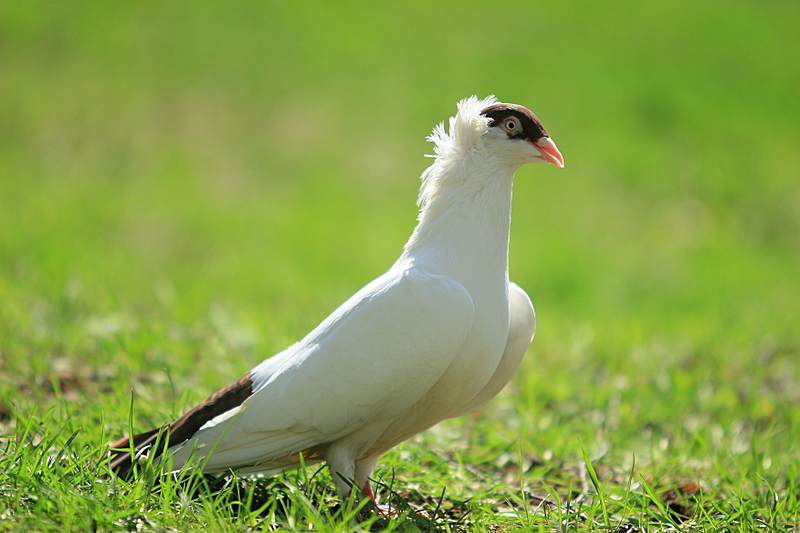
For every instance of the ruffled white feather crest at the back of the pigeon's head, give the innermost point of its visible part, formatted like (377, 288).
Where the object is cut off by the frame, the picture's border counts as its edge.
(464, 132)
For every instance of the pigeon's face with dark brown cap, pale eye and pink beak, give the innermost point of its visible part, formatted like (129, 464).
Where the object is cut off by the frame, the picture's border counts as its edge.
(516, 123)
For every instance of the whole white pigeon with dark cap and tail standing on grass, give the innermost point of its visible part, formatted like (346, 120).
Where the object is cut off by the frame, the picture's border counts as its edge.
(437, 336)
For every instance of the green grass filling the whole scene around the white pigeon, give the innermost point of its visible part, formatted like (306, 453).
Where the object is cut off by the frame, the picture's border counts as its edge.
(185, 190)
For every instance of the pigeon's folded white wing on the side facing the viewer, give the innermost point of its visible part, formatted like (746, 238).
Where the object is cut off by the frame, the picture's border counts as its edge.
(366, 364)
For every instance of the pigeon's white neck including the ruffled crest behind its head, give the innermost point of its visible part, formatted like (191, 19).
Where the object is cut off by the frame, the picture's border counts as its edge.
(465, 199)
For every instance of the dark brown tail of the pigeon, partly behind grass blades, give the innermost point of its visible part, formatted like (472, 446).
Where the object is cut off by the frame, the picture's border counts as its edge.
(158, 440)
